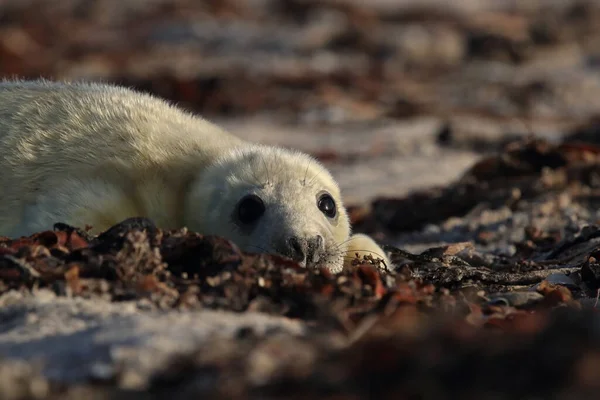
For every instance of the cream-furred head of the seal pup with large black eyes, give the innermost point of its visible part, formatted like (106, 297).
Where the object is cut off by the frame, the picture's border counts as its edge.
(273, 200)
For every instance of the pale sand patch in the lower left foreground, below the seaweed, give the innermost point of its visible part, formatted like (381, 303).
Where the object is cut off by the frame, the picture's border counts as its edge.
(78, 340)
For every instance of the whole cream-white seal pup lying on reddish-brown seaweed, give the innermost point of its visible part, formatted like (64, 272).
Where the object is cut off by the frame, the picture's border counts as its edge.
(95, 154)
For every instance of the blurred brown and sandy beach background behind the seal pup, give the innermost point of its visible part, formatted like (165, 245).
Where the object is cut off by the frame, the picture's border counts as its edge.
(393, 95)
